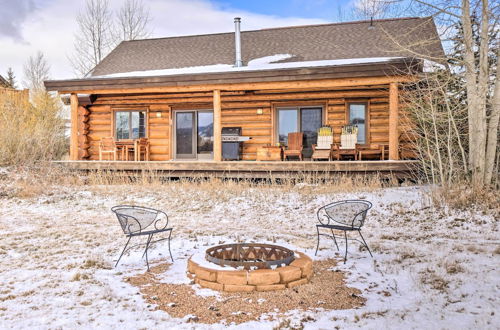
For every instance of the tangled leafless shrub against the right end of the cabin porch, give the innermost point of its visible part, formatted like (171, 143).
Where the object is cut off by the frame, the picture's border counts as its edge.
(439, 130)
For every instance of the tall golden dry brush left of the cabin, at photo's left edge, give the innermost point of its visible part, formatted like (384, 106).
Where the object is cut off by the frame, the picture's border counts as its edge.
(31, 130)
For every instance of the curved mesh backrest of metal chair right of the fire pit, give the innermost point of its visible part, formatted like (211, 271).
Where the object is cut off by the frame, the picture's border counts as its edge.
(349, 212)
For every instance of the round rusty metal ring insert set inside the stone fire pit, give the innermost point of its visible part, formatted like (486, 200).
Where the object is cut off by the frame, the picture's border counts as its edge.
(249, 255)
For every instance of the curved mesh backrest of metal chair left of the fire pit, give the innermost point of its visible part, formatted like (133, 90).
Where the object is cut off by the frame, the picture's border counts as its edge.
(136, 219)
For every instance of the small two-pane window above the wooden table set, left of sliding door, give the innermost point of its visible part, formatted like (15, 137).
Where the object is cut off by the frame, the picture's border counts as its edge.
(130, 124)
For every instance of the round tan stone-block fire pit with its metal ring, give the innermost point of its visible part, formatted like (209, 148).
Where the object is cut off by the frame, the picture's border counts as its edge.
(246, 267)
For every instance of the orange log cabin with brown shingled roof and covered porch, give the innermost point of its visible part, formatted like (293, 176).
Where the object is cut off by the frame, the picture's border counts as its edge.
(182, 92)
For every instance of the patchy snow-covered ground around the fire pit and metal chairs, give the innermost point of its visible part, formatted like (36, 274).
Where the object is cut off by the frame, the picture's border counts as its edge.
(432, 268)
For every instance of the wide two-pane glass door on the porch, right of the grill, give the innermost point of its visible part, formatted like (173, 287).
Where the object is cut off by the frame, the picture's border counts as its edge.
(307, 120)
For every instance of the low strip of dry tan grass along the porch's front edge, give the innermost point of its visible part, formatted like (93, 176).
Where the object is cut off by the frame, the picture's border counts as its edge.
(43, 178)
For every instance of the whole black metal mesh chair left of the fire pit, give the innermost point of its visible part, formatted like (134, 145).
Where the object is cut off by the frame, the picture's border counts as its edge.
(142, 221)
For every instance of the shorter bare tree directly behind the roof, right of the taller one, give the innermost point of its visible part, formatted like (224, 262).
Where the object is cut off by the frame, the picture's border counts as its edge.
(133, 20)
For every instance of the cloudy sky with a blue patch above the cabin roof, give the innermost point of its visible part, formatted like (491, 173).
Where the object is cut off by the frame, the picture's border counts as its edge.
(28, 26)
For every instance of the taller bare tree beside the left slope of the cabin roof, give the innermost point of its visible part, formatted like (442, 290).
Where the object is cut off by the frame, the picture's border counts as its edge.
(95, 37)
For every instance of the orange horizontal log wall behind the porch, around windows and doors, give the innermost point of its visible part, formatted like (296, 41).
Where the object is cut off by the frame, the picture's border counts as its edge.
(238, 109)
